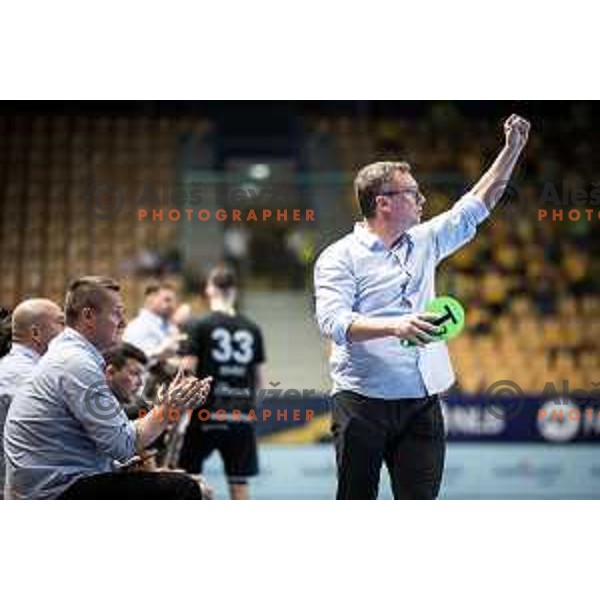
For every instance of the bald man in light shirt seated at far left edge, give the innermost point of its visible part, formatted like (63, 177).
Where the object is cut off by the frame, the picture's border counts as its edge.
(34, 323)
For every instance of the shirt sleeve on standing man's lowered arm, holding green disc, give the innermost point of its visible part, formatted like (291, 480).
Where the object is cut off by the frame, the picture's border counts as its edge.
(335, 289)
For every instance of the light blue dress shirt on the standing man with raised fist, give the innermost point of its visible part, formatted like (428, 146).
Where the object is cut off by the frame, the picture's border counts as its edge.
(359, 276)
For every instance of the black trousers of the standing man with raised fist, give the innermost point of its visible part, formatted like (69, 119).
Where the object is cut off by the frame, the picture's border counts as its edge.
(407, 435)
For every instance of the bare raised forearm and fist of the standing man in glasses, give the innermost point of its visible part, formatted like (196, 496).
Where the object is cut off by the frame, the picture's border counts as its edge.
(492, 184)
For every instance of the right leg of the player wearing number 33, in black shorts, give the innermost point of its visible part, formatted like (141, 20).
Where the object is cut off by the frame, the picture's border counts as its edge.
(239, 450)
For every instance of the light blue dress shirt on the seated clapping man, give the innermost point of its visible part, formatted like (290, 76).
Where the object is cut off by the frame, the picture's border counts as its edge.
(64, 423)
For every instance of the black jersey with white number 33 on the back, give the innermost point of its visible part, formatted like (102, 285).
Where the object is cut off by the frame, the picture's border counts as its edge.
(229, 348)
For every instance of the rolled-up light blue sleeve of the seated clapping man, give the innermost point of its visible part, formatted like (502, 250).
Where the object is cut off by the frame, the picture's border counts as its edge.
(89, 398)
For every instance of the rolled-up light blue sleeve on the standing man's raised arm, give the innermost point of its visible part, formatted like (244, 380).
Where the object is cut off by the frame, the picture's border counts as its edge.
(454, 228)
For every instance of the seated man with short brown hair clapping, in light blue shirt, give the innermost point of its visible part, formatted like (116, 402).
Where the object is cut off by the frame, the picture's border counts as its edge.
(65, 428)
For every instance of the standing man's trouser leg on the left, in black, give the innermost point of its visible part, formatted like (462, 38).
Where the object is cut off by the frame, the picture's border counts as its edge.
(359, 433)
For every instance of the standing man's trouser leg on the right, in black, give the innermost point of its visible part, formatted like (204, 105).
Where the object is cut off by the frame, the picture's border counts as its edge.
(415, 458)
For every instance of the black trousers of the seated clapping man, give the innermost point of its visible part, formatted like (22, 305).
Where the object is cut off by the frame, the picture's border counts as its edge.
(136, 485)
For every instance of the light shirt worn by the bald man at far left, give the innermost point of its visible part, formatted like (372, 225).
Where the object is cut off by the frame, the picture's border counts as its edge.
(15, 367)
